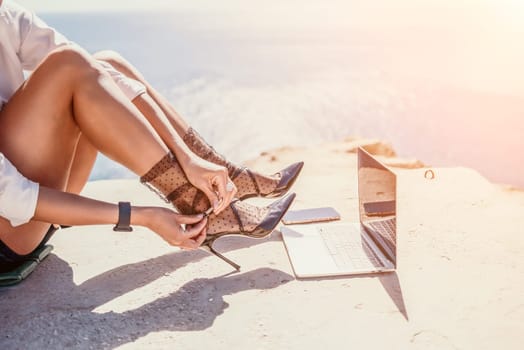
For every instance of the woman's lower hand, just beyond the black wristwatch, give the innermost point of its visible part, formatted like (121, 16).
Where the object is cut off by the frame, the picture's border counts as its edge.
(168, 225)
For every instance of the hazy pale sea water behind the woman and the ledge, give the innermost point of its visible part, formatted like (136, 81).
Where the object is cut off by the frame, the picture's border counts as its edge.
(253, 80)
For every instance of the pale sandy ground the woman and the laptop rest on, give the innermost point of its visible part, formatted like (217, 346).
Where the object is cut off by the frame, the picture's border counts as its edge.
(459, 282)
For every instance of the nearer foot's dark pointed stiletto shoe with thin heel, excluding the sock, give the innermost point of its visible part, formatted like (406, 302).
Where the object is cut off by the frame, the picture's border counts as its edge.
(274, 213)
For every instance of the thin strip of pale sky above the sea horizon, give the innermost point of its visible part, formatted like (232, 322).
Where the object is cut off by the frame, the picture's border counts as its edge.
(381, 9)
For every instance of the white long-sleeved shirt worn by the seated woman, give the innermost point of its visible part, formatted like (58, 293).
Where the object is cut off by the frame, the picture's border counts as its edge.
(25, 40)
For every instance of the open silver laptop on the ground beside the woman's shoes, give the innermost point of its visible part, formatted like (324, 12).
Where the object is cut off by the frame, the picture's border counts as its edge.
(369, 246)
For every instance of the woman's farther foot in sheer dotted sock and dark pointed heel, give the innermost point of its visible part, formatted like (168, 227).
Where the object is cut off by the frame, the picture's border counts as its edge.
(249, 183)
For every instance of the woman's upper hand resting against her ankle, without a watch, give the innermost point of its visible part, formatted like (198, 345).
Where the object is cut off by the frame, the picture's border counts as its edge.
(211, 179)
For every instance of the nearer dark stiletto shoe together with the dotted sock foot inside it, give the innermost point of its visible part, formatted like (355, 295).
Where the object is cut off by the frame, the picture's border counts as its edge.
(267, 217)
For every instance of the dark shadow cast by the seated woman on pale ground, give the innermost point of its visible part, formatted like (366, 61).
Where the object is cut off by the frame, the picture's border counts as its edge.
(57, 313)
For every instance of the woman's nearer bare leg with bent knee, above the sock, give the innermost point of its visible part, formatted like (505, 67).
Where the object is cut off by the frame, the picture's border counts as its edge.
(40, 128)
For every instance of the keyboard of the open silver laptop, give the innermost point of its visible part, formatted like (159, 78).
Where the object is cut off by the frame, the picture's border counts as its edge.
(347, 247)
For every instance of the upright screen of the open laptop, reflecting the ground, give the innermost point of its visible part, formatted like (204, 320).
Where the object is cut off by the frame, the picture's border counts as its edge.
(377, 193)
